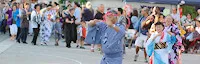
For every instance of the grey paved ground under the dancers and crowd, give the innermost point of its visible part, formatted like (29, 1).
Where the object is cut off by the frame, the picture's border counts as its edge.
(15, 53)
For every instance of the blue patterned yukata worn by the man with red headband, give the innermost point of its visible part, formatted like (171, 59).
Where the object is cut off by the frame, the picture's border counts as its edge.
(110, 40)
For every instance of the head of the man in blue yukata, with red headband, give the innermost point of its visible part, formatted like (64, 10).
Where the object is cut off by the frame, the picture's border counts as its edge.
(111, 16)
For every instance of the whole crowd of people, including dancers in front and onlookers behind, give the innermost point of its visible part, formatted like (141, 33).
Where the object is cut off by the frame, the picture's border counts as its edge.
(163, 38)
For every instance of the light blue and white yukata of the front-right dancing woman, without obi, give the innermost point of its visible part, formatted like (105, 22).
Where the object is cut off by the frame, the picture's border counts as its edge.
(160, 56)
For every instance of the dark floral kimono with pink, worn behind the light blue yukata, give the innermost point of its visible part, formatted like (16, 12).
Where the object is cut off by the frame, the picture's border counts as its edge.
(174, 56)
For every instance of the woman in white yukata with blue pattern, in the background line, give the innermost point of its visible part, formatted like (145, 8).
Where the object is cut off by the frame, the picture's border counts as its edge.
(46, 26)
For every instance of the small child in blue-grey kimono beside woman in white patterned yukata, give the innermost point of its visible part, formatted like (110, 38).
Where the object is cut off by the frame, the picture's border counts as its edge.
(57, 30)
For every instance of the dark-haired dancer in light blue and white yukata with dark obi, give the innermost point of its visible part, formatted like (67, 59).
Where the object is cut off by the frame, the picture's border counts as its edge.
(159, 45)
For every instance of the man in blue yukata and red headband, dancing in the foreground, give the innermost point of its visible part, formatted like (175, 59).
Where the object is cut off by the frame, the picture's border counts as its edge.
(109, 34)
